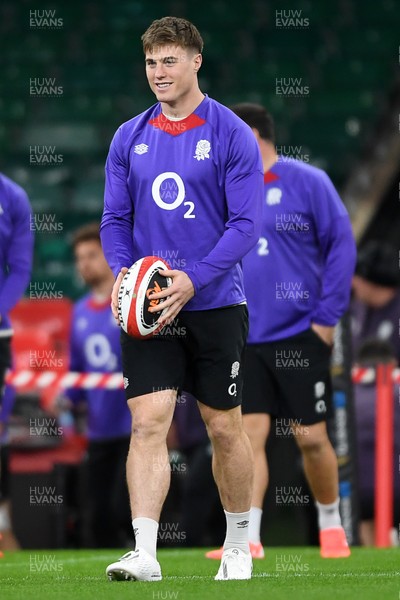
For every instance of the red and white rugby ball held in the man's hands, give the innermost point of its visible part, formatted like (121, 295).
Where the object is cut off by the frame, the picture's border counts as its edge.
(138, 283)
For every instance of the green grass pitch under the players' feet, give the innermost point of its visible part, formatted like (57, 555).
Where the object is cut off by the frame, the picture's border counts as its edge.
(285, 574)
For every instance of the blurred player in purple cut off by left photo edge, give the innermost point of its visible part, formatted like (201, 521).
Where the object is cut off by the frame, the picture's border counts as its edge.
(16, 254)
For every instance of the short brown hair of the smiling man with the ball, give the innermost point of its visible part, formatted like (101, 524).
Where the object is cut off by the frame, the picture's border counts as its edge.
(174, 31)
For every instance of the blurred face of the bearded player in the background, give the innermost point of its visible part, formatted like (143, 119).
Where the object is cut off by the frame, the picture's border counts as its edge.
(90, 262)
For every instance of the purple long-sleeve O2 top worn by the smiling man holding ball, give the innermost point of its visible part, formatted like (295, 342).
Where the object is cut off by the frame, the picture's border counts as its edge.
(189, 191)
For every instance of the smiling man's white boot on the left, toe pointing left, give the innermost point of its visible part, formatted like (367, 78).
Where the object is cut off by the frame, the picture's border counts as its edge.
(137, 565)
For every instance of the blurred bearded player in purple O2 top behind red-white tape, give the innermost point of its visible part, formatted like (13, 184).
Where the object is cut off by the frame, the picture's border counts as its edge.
(94, 346)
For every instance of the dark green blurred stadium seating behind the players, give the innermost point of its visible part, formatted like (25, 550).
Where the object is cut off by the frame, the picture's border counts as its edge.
(347, 57)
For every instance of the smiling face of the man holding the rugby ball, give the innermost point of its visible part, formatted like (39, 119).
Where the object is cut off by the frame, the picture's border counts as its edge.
(171, 72)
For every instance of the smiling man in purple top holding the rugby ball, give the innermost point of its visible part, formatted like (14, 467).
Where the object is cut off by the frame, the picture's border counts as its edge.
(184, 180)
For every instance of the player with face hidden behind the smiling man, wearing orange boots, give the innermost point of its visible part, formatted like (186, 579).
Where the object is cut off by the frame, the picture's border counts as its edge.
(297, 282)
